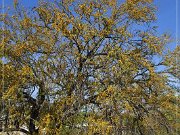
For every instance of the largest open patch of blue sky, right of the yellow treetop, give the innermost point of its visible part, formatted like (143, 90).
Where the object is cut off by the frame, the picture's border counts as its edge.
(168, 18)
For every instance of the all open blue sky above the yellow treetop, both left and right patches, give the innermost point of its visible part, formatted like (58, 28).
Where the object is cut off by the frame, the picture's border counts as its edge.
(166, 14)
